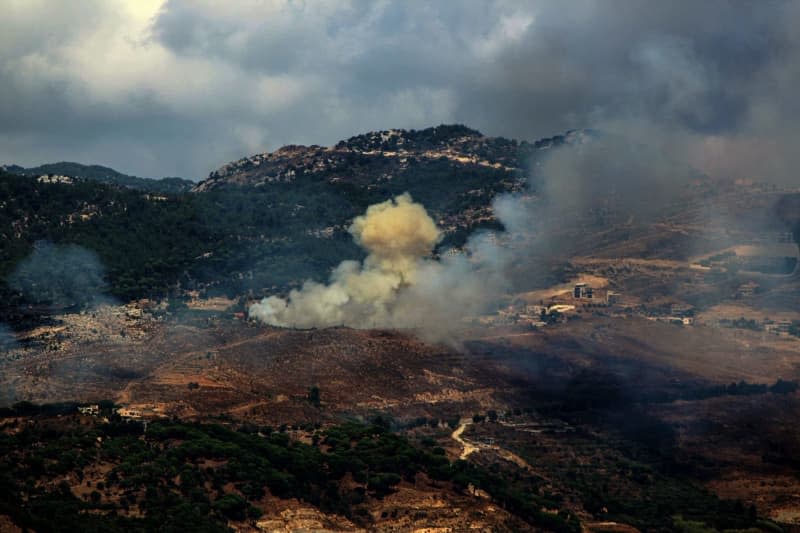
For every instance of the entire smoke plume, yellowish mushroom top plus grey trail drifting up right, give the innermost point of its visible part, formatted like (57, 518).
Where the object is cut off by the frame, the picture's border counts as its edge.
(624, 178)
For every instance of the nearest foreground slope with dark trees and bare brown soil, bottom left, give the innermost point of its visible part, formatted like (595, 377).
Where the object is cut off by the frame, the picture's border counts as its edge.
(208, 477)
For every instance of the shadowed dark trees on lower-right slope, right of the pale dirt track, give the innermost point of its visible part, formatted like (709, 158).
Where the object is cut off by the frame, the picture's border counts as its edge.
(631, 472)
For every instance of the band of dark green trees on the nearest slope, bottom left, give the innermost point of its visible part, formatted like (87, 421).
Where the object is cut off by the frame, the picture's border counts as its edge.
(162, 472)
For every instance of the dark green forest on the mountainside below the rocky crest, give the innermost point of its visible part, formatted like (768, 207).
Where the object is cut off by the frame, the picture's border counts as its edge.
(230, 240)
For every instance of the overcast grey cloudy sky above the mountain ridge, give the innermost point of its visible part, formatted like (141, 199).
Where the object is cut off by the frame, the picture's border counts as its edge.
(154, 88)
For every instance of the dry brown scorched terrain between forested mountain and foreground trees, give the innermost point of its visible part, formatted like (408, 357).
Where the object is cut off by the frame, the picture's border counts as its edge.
(663, 352)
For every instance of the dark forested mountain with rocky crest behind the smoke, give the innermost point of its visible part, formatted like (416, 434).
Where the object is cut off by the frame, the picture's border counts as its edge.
(271, 220)
